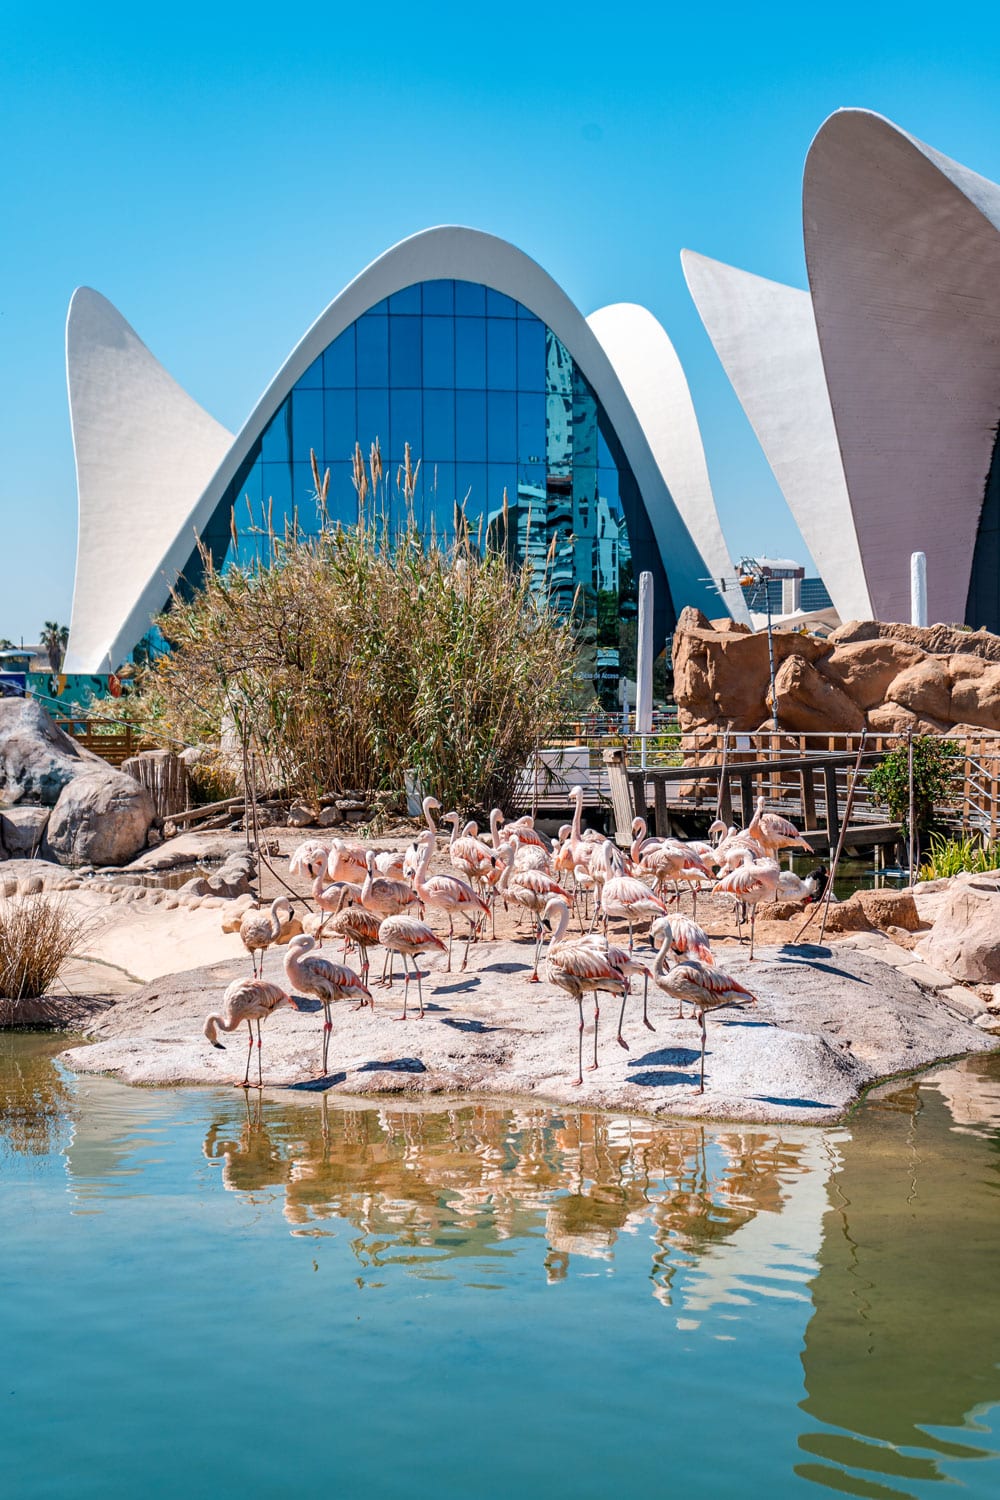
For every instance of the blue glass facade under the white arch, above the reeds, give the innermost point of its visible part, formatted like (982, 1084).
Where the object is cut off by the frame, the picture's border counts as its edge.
(491, 403)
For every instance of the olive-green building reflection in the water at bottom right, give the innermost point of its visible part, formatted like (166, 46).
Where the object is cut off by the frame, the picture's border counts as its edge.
(906, 1334)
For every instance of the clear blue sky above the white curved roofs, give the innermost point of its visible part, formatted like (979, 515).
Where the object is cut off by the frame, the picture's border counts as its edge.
(221, 172)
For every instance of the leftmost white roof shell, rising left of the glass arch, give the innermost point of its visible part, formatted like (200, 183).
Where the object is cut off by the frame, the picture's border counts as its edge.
(143, 451)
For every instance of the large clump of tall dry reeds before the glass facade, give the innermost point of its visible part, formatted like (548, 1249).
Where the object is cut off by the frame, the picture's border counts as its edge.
(347, 658)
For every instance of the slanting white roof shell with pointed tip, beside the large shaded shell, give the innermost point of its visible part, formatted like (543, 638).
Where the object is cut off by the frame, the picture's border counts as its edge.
(765, 338)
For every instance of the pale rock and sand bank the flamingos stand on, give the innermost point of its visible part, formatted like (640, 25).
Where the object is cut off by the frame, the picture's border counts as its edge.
(830, 1022)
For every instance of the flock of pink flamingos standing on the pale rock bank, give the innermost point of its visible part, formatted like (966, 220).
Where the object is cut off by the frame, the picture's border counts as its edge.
(370, 898)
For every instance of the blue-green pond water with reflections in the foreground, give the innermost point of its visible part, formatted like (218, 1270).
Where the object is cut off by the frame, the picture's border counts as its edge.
(209, 1295)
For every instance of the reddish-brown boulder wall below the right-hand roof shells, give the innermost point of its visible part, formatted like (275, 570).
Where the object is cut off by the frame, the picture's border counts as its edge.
(882, 677)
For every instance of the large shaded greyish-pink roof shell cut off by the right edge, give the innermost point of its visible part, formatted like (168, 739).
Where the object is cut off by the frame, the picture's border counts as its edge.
(905, 266)
